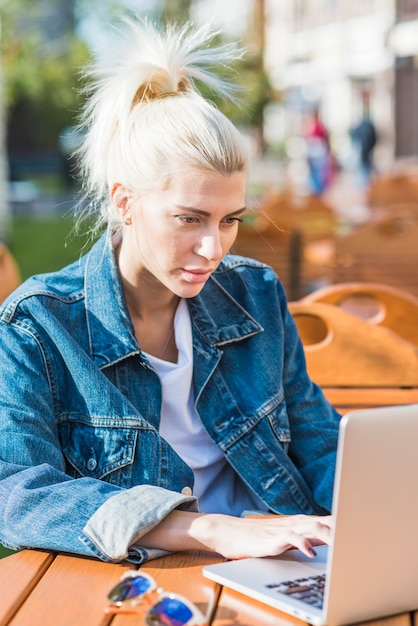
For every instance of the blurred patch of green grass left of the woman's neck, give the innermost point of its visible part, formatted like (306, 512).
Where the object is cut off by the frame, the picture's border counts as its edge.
(44, 244)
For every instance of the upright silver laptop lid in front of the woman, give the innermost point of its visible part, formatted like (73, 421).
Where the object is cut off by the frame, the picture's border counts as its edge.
(373, 561)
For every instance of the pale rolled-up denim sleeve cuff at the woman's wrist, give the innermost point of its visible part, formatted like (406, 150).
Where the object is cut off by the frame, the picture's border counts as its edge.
(114, 531)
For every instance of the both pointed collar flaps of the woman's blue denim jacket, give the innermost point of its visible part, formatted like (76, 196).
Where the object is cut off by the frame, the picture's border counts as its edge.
(216, 315)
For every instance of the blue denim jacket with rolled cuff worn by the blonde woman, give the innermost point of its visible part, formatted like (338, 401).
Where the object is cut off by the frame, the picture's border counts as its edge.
(82, 466)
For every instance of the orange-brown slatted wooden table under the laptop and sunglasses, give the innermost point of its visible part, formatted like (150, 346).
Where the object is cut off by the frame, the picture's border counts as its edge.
(42, 589)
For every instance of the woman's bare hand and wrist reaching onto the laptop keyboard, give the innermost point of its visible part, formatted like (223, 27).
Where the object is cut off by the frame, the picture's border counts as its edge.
(236, 538)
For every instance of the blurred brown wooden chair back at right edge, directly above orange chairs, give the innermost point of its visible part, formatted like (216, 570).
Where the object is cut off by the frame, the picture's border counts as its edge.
(383, 251)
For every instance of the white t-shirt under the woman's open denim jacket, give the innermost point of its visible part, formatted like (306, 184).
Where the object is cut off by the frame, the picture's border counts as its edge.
(217, 486)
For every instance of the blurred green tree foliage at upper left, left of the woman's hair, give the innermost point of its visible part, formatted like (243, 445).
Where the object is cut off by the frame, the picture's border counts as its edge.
(39, 61)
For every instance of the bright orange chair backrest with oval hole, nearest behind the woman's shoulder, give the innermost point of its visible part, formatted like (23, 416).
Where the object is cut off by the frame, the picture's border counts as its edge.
(343, 350)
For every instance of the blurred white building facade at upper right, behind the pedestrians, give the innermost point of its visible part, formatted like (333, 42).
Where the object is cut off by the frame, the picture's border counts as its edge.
(337, 56)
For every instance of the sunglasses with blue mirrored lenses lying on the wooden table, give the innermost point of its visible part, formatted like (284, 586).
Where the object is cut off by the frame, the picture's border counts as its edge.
(137, 590)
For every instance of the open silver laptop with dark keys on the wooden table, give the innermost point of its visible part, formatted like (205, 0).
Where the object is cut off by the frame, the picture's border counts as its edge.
(370, 570)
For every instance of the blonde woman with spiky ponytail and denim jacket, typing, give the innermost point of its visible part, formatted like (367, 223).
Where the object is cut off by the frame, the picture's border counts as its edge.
(156, 388)
